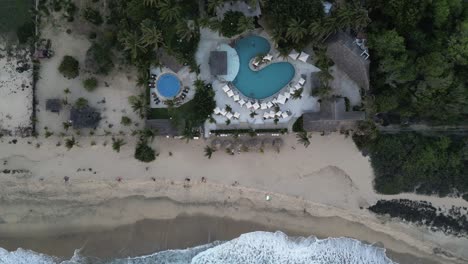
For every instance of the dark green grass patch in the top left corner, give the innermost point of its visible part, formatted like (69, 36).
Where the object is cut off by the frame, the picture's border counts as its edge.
(13, 14)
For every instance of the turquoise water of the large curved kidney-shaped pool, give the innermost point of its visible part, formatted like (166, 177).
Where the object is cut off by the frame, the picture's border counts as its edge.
(263, 83)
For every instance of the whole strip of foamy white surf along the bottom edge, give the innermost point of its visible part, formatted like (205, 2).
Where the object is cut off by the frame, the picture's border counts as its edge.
(255, 247)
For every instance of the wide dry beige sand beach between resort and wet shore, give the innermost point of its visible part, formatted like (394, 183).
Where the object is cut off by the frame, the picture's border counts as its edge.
(37, 200)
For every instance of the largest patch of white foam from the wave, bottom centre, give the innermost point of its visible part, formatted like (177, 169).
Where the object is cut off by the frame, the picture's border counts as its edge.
(265, 247)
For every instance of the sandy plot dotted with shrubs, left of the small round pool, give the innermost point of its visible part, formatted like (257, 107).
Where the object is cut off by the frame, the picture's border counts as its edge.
(120, 85)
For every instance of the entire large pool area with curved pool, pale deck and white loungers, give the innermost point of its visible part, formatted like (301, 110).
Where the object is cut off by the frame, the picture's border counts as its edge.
(255, 87)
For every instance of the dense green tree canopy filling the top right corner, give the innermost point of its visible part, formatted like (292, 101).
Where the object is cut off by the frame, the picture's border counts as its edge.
(420, 59)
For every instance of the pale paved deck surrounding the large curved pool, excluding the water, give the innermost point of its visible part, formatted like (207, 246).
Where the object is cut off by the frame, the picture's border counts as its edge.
(209, 41)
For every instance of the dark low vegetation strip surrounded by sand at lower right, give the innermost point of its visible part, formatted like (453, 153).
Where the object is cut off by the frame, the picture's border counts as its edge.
(454, 221)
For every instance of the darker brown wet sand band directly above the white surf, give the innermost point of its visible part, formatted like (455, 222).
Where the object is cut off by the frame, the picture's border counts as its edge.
(149, 236)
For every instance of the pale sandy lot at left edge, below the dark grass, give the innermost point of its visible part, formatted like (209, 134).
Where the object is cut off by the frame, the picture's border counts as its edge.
(16, 92)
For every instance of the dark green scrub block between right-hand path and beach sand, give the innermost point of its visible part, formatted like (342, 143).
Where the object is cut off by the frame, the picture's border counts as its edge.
(409, 162)
